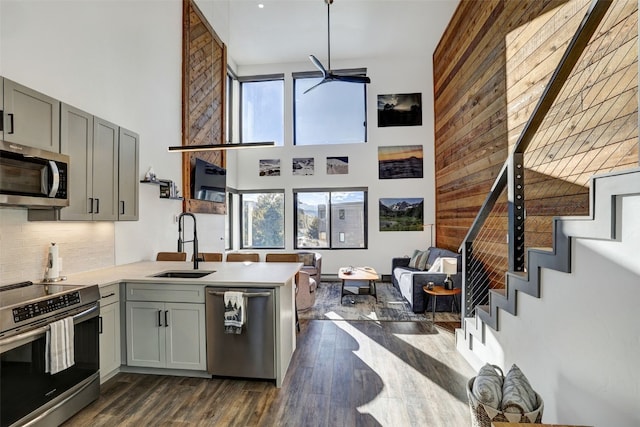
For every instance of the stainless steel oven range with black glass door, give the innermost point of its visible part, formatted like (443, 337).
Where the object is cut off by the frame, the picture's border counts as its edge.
(28, 394)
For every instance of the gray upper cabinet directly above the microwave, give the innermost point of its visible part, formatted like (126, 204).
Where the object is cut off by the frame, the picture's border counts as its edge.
(30, 118)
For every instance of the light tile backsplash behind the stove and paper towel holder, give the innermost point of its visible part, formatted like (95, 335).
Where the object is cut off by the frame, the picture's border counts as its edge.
(24, 246)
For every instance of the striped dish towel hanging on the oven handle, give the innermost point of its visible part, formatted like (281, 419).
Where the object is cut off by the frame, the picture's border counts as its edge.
(59, 353)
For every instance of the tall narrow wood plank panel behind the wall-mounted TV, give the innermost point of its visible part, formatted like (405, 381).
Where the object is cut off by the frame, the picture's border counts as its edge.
(204, 72)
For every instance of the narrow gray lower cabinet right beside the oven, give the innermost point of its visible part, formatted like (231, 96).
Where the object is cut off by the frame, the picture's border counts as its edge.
(109, 331)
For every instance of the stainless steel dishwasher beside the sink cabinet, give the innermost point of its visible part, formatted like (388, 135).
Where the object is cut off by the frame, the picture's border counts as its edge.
(250, 354)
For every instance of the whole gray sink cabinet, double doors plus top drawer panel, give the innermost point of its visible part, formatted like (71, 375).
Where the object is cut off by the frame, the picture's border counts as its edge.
(164, 331)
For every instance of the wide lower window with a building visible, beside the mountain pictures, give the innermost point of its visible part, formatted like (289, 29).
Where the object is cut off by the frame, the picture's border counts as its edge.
(333, 219)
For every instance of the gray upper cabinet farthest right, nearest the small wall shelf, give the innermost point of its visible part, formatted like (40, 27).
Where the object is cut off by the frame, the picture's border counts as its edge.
(128, 153)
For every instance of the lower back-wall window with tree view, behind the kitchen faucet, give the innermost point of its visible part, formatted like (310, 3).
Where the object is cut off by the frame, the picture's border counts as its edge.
(262, 219)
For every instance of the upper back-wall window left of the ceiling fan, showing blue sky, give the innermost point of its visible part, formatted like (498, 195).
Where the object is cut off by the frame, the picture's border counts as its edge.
(262, 109)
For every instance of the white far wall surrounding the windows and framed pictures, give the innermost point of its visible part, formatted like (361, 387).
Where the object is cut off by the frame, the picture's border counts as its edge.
(400, 75)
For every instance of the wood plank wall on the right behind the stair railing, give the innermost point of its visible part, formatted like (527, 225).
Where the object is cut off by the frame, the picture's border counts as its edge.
(490, 69)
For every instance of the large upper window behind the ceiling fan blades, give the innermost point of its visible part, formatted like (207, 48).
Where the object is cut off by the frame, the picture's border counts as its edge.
(332, 113)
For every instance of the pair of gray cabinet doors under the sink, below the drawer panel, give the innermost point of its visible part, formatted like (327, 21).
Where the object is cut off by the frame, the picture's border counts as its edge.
(166, 335)
